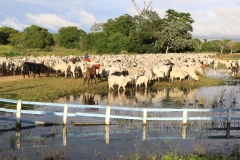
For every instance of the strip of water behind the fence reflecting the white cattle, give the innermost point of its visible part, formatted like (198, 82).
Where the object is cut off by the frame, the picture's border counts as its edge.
(226, 96)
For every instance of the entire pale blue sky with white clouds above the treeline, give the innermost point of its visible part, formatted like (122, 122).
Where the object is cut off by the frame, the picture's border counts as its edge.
(214, 19)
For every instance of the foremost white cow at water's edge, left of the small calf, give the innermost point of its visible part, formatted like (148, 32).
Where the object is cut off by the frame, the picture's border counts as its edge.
(121, 81)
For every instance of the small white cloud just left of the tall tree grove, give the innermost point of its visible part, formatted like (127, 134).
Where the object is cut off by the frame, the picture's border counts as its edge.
(87, 18)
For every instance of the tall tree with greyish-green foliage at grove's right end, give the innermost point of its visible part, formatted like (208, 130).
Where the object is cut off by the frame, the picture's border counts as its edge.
(175, 33)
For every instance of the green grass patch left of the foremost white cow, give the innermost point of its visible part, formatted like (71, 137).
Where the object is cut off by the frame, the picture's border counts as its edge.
(47, 89)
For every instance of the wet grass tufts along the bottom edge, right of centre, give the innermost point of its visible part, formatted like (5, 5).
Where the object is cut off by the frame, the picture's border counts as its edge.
(171, 152)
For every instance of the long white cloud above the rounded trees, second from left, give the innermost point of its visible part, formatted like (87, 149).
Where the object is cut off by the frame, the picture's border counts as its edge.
(50, 21)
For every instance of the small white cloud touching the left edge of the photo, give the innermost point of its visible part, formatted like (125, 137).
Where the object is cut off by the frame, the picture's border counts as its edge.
(12, 22)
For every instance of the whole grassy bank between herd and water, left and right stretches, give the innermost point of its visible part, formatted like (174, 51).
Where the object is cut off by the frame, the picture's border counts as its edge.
(48, 89)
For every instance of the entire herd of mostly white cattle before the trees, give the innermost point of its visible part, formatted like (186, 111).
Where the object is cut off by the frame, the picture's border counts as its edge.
(117, 69)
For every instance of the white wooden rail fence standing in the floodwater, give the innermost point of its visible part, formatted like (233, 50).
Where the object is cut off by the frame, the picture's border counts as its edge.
(144, 118)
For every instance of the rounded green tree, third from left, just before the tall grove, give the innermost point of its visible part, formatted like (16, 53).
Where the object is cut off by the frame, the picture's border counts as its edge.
(69, 37)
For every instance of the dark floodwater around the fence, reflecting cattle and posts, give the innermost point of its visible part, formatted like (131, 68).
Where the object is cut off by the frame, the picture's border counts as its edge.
(124, 137)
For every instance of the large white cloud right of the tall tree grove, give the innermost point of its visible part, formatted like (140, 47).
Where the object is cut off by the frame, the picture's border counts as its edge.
(217, 24)
